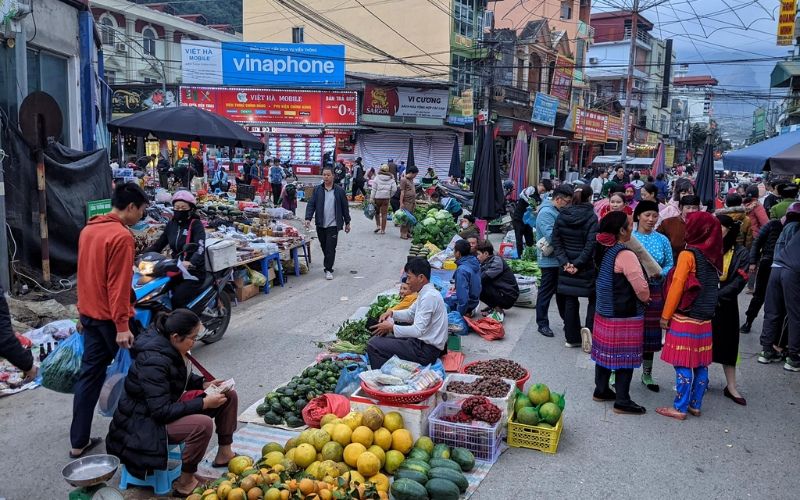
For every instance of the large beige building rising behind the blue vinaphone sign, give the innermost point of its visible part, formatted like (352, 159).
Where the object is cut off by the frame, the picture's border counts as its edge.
(425, 39)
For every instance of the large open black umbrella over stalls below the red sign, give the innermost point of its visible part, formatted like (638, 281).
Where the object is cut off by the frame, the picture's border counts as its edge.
(186, 123)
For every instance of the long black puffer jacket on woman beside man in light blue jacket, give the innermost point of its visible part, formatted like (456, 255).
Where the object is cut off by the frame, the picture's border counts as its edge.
(574, 237)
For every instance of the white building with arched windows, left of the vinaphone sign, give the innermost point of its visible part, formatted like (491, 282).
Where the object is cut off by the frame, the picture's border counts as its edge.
(141, 43)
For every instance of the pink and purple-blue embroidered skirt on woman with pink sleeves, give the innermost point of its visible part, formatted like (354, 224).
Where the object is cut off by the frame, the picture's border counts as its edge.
(617, 342)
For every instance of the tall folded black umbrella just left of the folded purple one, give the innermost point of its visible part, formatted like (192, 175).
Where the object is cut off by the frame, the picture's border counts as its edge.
(488, 188)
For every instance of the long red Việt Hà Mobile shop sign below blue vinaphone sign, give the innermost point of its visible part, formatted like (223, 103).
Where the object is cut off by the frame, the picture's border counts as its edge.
(275, 107)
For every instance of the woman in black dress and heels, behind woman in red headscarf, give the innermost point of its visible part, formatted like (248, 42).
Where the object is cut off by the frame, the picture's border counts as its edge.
(725, 324)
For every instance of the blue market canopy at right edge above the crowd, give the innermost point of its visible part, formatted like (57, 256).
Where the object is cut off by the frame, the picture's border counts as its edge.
(780, 155)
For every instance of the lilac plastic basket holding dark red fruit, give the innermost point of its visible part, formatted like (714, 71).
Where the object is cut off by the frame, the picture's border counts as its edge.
(482, 439)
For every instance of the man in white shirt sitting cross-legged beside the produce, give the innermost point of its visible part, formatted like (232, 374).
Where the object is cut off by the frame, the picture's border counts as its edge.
(424, 340)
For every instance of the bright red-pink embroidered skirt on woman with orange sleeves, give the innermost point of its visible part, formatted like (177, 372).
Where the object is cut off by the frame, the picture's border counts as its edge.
(688, 342)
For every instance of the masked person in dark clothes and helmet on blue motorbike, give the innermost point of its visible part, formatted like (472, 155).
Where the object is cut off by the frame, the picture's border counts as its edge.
(184, 228)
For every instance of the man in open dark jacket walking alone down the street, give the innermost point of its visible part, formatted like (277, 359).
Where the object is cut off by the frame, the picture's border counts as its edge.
(328, 207)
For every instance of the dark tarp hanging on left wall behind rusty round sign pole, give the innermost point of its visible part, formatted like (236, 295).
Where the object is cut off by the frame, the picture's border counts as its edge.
(73, 178)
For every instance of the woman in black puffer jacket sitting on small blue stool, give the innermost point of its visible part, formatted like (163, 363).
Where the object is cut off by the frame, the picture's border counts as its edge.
(151, 412)
